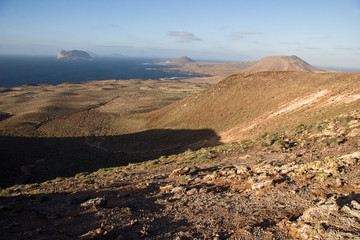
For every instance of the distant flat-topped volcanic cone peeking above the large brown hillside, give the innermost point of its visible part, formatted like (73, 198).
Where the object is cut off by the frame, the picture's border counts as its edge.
(281, 63)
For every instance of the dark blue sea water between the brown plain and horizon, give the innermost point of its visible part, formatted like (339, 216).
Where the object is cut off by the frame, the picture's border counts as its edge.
(20, 70)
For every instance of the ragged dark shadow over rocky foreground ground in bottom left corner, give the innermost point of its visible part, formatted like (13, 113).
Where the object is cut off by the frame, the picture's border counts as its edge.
(60, 215)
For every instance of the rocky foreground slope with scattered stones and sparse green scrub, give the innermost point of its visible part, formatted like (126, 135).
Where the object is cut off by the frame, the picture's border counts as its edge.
(300, 184)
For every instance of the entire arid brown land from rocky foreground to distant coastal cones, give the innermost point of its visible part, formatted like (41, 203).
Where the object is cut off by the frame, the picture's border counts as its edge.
(256, 150)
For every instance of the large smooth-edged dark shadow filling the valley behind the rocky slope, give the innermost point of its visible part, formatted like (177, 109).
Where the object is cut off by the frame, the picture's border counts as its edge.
(27, 160)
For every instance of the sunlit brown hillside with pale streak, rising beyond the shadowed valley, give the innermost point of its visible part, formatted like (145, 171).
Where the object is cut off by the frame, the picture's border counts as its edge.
(247, 104)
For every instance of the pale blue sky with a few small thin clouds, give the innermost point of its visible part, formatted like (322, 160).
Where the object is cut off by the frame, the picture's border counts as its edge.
(322, 32)
